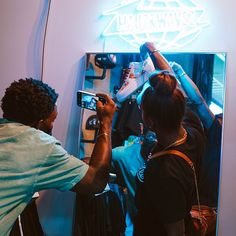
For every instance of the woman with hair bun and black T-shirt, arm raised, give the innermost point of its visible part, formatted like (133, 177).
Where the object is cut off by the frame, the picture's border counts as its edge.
(165, 186)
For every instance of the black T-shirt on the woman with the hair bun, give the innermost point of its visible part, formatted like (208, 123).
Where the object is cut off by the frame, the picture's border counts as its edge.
(167, 181)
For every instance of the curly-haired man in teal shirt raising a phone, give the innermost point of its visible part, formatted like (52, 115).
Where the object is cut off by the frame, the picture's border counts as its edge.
(32, 160)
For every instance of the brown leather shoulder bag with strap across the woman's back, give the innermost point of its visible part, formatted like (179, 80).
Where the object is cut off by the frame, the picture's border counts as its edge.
(203, 217)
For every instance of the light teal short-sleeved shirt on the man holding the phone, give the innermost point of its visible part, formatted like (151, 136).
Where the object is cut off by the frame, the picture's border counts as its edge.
(31, 161)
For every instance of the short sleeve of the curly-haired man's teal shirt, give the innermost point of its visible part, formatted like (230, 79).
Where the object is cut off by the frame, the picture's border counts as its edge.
(60, 170)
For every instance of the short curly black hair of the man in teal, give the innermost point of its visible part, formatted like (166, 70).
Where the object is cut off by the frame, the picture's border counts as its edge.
(28, 101)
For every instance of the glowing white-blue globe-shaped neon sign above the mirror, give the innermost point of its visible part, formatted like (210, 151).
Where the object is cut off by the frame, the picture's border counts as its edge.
(170, 24)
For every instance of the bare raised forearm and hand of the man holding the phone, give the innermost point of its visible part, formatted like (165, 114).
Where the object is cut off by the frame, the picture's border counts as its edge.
(97, 175)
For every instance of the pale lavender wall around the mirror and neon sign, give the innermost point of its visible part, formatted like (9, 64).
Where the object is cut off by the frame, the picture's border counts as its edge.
(74, 28)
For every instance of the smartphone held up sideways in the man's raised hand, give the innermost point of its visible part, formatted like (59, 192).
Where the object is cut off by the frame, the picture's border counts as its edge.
(88, 100)
